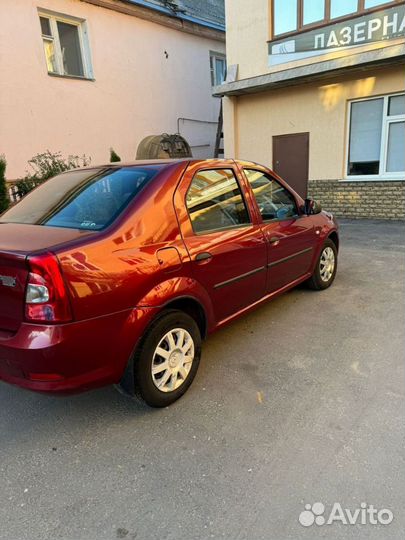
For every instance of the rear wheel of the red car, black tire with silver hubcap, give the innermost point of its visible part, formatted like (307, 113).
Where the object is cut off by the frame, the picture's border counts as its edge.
(167, 358)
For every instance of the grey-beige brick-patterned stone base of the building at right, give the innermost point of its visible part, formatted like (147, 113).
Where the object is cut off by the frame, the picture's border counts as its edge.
(359, 200)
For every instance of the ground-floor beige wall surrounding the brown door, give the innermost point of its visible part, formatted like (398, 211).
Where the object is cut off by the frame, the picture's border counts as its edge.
(320, 109)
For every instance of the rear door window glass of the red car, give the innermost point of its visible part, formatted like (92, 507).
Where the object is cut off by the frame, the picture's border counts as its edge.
(214, 201)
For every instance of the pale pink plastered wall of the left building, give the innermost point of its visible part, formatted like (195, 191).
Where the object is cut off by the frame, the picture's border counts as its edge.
(137, 91)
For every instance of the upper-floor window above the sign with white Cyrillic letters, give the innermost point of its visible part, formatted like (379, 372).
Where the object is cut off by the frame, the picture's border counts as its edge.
(291, 16)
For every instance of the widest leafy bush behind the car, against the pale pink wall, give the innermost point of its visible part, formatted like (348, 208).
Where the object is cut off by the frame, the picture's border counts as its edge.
(45, 166)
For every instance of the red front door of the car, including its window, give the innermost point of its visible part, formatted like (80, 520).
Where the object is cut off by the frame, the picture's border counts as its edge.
(291, 237)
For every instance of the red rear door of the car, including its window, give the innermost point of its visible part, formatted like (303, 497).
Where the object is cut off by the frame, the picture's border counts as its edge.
(223, 236)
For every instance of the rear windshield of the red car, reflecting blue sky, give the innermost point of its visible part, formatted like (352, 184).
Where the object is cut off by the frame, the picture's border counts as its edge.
(81, 199)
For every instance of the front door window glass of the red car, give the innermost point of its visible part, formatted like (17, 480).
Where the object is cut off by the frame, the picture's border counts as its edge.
(274, 200)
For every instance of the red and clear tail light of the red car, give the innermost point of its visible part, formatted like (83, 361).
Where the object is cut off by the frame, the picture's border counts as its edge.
(46, 297)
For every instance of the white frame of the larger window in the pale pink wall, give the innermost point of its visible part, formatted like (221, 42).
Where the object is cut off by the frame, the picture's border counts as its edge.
(82, 31)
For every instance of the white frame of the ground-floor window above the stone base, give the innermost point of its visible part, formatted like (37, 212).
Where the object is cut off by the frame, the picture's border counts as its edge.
(387, 121)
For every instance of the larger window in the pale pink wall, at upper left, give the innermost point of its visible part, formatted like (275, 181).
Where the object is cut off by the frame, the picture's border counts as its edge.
(66, 46)
